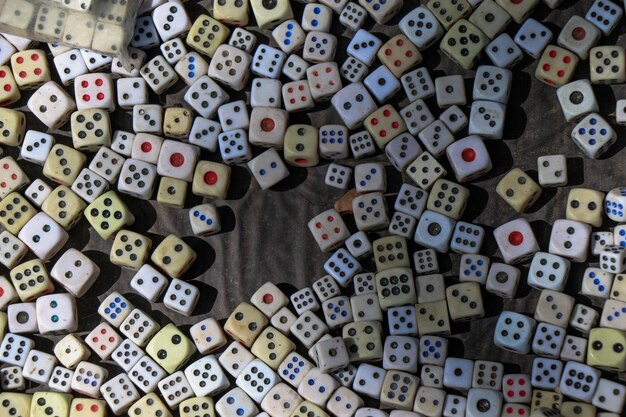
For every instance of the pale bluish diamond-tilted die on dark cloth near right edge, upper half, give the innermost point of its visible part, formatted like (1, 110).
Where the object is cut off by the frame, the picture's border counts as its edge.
(593, 135)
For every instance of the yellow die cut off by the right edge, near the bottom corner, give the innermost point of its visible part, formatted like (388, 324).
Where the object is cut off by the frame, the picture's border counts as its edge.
(606, 349)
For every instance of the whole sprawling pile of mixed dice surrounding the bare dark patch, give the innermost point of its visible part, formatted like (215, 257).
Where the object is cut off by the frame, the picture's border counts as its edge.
(378, 346)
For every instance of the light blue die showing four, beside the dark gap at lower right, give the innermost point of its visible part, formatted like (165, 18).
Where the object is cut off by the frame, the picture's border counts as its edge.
(514, 332)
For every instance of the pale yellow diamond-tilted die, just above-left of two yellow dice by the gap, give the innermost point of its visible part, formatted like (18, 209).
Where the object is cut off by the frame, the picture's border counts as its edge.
(108, 214)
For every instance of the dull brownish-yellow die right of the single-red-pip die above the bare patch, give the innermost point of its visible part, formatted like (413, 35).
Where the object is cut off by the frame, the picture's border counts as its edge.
(301, 146)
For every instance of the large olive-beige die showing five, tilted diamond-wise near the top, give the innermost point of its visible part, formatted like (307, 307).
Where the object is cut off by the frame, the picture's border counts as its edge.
(463, 43)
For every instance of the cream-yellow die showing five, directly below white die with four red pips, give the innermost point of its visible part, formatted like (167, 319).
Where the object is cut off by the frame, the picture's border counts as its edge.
(91, 129)
